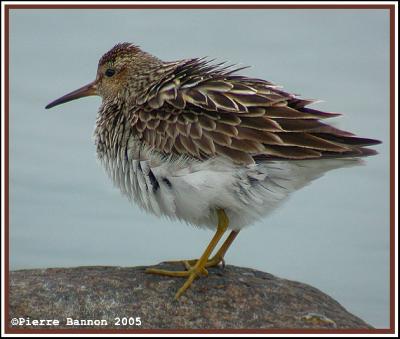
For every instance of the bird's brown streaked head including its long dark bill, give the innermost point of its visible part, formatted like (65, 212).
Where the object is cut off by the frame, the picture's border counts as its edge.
(125, 69)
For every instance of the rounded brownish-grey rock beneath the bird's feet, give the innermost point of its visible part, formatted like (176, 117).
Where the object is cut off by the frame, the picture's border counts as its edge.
(230, 298)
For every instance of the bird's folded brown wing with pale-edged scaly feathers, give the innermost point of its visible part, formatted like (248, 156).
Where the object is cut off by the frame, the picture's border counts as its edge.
(203, 110)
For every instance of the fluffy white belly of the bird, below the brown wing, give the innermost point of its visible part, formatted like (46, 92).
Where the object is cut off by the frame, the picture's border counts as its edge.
(192, 191)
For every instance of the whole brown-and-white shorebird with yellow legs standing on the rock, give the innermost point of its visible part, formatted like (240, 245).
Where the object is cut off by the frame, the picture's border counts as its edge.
(195, 141)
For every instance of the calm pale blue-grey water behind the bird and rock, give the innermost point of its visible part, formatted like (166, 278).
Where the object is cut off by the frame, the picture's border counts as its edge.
(333, 234)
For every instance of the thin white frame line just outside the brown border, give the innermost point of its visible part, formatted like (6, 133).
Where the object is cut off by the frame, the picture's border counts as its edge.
(191, 3)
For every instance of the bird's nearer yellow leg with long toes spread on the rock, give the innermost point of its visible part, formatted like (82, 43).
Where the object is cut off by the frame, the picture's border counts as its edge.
(198, 268)
